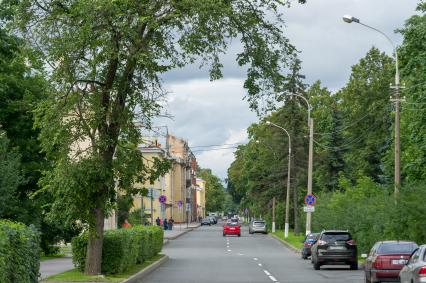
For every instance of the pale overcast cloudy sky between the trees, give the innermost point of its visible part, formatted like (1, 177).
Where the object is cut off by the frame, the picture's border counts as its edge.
(214, 113)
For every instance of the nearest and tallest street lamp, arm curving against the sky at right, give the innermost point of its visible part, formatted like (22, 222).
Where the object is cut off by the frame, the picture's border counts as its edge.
(397, 100)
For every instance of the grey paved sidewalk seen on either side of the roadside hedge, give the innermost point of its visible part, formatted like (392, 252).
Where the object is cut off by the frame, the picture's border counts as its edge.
(58, 265)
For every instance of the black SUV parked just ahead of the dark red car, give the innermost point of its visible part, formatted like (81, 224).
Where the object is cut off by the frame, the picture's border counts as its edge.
(334, 247)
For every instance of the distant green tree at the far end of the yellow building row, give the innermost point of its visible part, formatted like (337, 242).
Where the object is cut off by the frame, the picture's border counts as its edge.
(215, 192)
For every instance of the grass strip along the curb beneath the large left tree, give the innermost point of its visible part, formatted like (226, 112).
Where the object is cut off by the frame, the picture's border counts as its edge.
(77, 276)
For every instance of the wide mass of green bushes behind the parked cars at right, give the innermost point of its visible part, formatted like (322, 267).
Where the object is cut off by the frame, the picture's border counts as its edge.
(371, 213)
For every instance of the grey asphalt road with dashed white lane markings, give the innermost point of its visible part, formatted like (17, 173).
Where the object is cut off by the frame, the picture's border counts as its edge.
(204, 255)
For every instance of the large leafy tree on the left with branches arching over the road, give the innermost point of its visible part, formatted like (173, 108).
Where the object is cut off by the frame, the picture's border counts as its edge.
(105, 59)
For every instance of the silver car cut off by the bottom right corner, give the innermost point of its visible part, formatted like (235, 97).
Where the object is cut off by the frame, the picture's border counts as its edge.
(415, 269)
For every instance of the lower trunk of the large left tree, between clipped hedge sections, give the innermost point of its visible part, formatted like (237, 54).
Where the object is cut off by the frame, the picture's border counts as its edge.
(94, 245)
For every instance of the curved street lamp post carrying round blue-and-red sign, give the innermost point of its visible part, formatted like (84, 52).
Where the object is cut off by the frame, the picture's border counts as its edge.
(310, 158)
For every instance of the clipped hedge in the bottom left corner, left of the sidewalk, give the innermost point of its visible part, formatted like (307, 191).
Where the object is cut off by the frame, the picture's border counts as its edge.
(19, 253)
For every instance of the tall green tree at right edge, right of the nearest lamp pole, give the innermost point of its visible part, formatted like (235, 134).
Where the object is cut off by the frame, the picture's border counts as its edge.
(413, 118)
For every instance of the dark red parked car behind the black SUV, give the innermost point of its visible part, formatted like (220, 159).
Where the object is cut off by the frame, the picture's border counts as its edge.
(386, 259)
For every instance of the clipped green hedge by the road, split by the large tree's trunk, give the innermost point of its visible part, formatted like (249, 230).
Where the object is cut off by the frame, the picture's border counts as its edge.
(121, 248)
